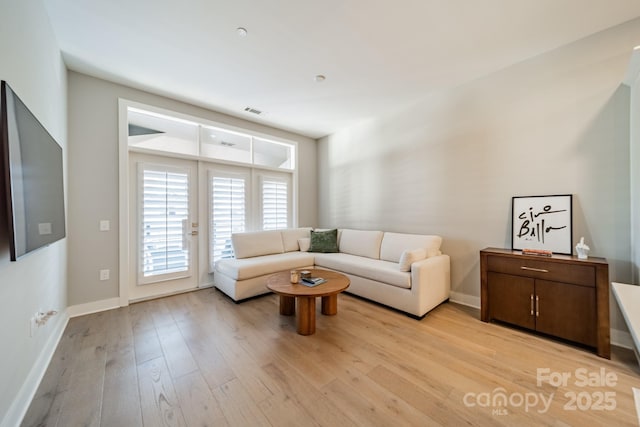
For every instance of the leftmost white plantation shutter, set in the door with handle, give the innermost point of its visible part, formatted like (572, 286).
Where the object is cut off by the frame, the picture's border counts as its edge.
(164, 217)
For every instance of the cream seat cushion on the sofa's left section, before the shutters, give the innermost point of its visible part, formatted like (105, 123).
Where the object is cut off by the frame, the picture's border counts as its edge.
(247, 268)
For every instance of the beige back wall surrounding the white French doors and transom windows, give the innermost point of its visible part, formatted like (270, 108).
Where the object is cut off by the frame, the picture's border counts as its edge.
(93, 178)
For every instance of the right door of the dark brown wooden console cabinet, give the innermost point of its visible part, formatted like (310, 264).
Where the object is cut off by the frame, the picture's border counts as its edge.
(567, 311)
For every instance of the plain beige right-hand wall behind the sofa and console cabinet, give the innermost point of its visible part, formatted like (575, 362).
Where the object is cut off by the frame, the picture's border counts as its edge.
(449, 165)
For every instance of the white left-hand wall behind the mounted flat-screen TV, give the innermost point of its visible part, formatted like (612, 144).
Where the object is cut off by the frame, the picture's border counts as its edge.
(31, 64)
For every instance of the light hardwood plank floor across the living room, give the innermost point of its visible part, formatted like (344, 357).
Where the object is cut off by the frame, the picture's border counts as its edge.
(198, 359)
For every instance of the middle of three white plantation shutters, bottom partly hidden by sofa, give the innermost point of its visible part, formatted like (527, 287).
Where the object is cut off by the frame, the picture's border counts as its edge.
(227, 215)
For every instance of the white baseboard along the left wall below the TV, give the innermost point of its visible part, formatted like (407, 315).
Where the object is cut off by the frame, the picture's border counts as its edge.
(23, 399)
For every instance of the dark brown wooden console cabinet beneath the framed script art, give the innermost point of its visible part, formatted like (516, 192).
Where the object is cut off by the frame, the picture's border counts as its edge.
(562, 295)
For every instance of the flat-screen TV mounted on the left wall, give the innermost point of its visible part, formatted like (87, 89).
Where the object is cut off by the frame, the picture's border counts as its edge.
(33, 175)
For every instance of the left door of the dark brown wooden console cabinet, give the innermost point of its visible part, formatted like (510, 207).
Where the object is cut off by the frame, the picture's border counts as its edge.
(510, 299)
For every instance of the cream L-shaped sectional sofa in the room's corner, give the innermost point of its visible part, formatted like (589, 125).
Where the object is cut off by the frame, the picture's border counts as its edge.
(405, 271)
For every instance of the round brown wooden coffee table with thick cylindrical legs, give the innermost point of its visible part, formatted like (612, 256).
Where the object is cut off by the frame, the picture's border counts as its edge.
(292, 294)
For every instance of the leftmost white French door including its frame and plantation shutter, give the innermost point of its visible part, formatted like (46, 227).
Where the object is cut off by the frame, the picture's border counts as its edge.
(163, 218)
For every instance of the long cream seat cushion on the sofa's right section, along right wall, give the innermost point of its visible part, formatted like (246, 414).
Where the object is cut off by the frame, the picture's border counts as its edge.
(374, 269)
